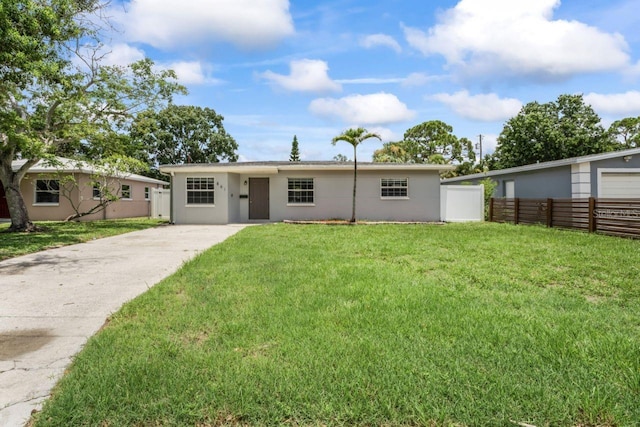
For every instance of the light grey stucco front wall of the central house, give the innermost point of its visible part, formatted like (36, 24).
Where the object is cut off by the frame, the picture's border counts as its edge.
(332, 197)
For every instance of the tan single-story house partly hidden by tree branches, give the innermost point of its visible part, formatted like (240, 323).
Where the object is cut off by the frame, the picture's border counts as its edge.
(45, 196)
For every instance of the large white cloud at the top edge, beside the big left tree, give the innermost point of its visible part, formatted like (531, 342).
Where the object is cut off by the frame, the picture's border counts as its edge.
(170, 24)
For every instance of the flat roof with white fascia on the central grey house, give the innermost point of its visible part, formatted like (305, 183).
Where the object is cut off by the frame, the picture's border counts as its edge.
(272, 168)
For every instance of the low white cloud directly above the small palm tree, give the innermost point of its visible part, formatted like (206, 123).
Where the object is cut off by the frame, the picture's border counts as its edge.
(374, 109)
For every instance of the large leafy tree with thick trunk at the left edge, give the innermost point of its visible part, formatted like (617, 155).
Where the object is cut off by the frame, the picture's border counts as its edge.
(54, 91)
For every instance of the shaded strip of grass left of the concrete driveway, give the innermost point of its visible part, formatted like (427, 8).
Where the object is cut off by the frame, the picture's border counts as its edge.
(56, 234)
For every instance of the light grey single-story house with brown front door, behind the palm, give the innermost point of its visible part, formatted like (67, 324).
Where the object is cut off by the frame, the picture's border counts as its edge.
(222, 193)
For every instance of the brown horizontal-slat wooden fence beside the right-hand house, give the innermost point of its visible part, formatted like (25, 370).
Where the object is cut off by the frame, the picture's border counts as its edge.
(616, 217)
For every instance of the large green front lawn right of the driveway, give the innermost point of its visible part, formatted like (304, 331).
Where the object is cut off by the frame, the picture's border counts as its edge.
(463, 324)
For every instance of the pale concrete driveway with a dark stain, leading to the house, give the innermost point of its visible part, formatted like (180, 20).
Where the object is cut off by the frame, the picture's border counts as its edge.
(51, 302)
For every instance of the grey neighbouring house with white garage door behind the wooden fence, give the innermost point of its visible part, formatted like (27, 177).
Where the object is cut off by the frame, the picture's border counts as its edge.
(614, 174)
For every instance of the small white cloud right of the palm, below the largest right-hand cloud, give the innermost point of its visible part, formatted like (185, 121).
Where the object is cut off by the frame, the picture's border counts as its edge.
(484, 107)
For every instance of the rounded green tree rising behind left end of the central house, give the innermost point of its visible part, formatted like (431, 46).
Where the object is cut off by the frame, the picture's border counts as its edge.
(181, 134)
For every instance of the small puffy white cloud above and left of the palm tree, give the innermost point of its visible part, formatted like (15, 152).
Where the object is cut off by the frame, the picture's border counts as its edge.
(307, 75)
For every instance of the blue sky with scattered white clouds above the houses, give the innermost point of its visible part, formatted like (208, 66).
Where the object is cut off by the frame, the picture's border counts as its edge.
(278, 68)
